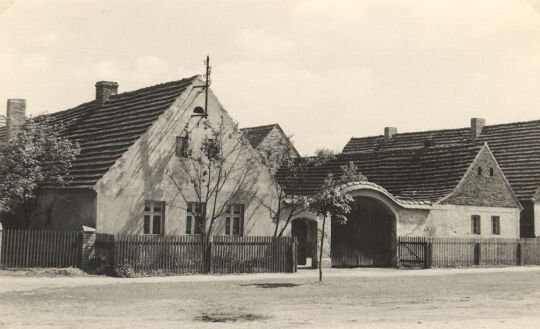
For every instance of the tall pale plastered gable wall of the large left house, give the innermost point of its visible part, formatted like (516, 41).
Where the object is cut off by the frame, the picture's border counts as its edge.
(140, 175)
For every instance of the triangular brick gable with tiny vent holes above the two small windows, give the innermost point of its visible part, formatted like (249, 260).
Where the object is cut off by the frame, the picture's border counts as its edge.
(482, 189)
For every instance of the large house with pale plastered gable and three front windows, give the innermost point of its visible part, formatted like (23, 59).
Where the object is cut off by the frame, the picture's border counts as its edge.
(129, 142)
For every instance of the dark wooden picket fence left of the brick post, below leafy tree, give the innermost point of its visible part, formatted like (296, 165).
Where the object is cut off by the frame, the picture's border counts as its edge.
(39, 248)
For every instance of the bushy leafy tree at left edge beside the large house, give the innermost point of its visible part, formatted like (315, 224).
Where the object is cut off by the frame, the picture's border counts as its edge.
(38, 156)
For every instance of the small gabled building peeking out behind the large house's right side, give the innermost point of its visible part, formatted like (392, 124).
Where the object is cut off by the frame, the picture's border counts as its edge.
(269, 138)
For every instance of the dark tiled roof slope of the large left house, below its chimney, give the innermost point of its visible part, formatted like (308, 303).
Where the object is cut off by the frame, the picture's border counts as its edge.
(105, 133)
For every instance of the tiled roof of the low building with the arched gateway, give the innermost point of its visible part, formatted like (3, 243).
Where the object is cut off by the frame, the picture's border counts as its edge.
(421, 175)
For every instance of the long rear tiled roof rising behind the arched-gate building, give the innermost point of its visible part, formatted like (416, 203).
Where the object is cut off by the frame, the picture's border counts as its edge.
(516, 147)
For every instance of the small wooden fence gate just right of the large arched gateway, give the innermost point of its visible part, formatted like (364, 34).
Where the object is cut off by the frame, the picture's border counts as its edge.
(414, 252)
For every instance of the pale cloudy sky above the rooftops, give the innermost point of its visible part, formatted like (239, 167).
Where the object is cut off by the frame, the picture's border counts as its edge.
(324, 70)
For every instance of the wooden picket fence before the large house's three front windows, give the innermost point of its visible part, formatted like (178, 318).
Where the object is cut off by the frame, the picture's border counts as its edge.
(182, 254)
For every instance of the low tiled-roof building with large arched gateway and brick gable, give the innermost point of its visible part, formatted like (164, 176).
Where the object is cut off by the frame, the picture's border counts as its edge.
(431, 191)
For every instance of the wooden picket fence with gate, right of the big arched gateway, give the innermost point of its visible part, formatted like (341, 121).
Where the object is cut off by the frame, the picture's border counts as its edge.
(465, 252)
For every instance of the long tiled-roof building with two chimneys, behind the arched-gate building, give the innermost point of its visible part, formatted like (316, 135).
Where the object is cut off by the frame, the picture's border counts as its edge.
(516, 146)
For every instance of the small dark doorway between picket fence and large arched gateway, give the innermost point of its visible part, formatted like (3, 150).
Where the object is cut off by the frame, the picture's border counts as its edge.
(305, 231)
